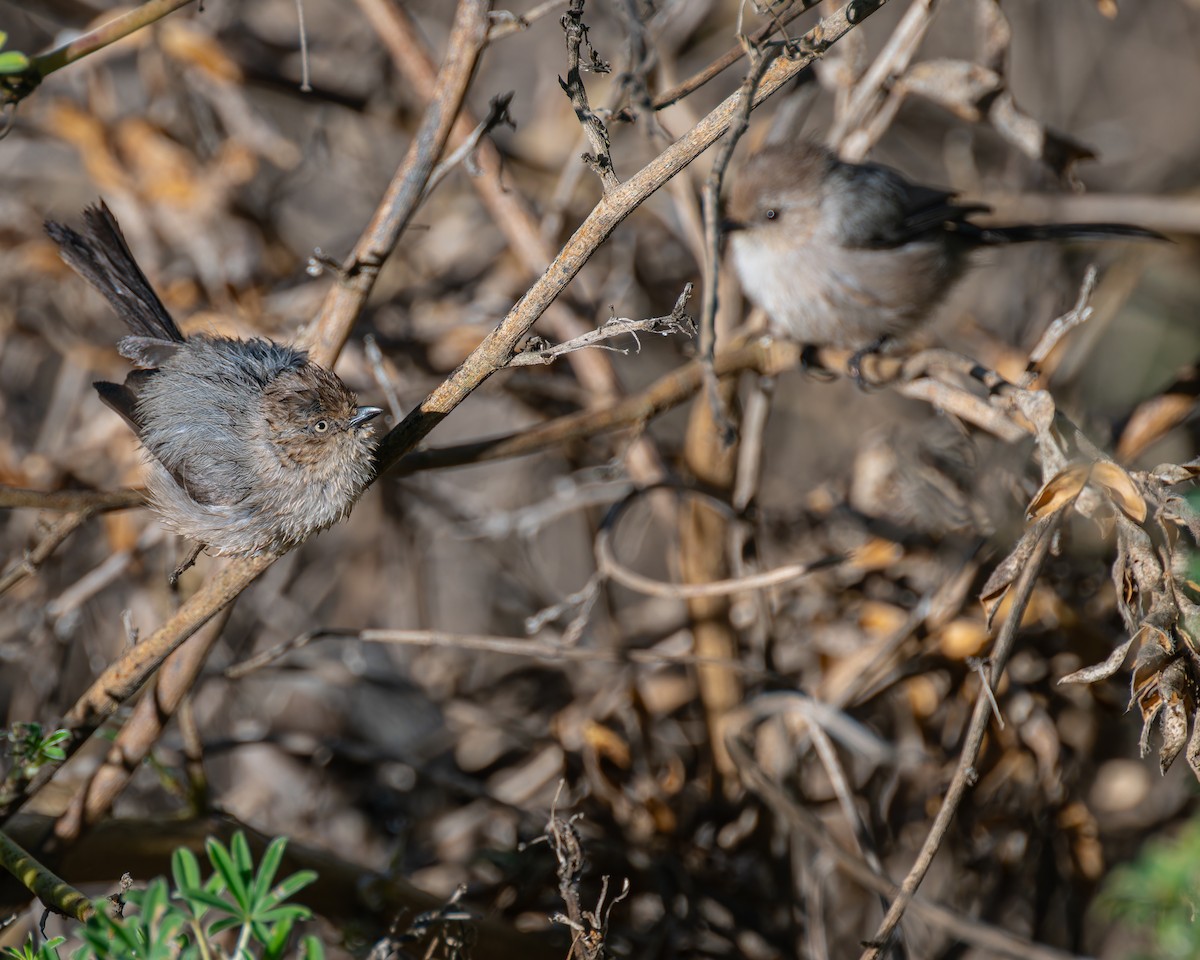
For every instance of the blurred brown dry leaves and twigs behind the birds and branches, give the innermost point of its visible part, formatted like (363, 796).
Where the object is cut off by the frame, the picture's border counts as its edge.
(434, 764)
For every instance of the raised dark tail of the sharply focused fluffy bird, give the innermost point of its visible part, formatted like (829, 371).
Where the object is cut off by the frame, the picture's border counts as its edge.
(103, 257)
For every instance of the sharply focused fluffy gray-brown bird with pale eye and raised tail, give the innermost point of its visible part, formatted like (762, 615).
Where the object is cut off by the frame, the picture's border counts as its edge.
(253, 447)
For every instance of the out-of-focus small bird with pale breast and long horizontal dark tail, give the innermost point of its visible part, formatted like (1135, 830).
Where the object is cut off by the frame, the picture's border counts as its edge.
(849, 255)
